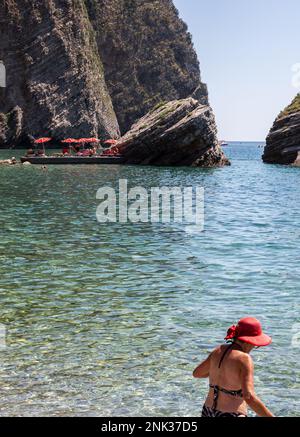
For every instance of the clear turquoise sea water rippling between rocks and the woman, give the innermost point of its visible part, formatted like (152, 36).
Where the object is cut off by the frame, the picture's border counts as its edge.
(112, 319)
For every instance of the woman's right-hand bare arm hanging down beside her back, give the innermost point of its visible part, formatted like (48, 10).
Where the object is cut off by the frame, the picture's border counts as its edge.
(247, 374)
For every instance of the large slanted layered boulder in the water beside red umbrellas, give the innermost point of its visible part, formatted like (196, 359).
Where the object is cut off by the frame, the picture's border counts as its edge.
(178, 133)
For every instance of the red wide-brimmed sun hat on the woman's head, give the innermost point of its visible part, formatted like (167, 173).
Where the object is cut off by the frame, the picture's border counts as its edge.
(250, 331)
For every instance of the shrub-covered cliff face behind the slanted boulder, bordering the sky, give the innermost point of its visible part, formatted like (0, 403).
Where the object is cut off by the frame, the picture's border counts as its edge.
(147, 53)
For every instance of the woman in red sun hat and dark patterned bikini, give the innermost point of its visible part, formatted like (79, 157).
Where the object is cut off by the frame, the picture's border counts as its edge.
(230, 371)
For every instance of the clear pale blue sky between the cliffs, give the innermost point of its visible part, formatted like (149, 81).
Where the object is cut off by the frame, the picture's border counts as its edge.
(246, 50)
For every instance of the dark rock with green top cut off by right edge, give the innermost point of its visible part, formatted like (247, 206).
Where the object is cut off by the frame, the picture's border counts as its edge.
(283, 141)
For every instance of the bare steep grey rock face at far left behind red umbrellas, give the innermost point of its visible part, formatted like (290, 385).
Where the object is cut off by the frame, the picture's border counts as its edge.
(55, 78)
